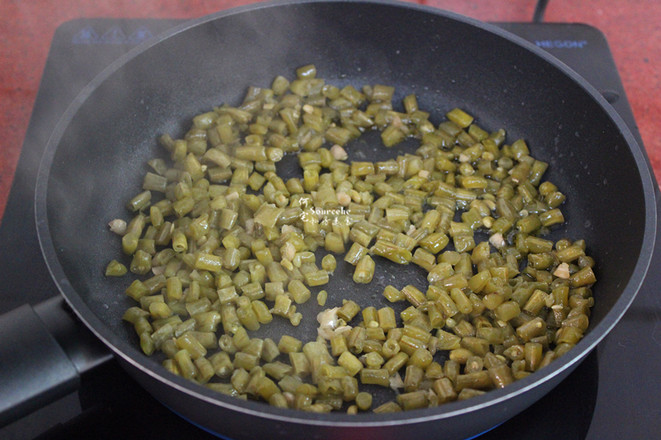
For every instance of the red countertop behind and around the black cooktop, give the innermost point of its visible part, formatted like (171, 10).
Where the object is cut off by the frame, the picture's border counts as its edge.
(632, 28)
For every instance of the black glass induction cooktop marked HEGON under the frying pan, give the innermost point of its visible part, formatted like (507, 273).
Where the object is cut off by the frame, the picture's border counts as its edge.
(613, 394)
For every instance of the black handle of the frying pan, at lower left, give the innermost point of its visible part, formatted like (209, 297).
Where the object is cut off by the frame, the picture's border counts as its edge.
(43, 352)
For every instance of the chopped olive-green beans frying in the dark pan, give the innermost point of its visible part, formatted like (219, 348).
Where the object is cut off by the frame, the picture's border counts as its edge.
(223, 246)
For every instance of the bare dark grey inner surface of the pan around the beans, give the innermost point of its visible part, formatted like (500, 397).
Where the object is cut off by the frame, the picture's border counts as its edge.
(96, 161)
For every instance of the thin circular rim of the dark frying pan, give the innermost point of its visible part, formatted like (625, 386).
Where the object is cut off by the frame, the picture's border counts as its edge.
(131, 355)
